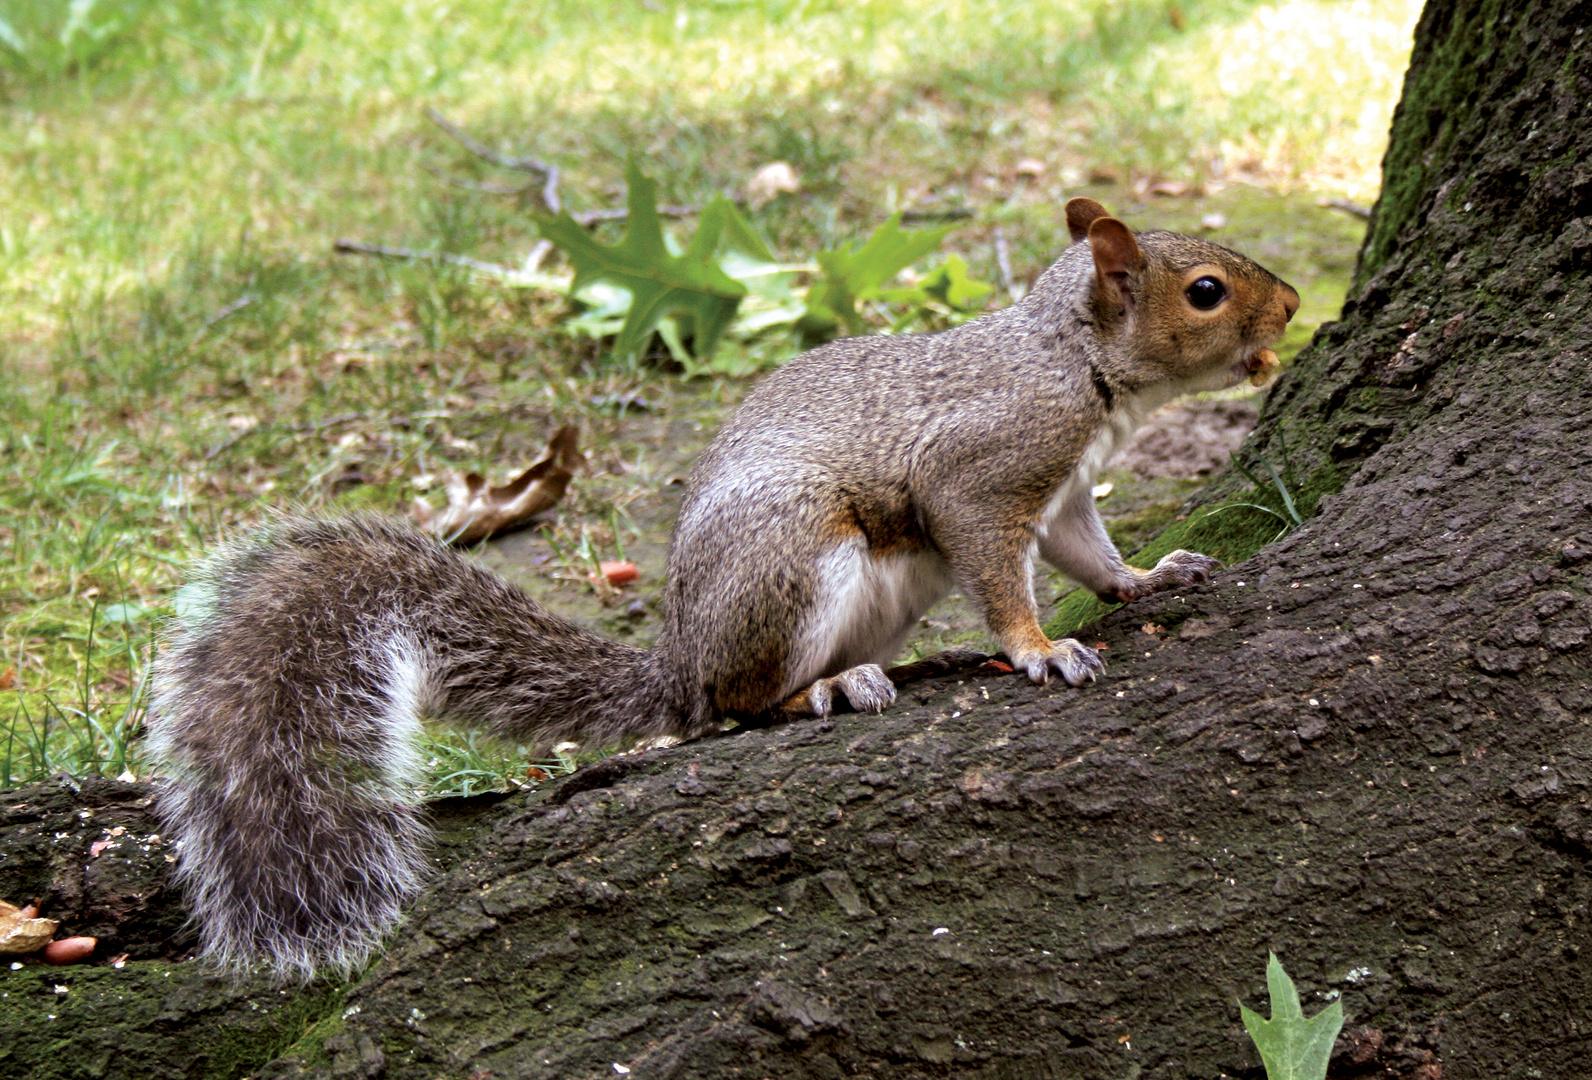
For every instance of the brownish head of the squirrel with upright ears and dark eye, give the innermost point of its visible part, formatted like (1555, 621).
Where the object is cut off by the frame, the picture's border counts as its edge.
(1182, 310)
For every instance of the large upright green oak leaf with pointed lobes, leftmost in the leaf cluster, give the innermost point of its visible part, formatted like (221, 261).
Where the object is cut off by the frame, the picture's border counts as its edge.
(689, 288)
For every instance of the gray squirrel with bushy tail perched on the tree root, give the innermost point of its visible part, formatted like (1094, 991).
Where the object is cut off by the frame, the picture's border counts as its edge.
(854, 488)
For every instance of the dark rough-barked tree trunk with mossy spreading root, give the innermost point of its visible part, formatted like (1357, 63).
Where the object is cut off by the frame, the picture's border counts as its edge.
(1367, 749)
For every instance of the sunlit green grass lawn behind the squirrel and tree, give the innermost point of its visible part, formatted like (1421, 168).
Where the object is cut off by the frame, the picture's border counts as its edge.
(182, 350)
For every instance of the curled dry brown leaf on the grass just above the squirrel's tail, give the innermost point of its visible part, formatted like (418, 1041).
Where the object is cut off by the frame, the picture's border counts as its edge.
(477, 512)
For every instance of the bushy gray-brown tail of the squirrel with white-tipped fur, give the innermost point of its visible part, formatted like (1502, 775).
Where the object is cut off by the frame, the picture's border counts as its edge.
(286, 714)
